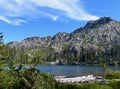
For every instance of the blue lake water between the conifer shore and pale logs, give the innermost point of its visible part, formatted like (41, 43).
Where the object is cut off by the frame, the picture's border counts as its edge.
(72, 70)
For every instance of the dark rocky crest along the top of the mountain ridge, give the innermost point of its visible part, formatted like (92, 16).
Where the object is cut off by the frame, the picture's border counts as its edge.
(90, 25)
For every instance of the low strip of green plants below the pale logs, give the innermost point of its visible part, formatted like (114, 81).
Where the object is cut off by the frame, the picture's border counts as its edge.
(112, 85)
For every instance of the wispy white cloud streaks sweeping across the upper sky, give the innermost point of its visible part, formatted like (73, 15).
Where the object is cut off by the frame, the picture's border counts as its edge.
(19, 11)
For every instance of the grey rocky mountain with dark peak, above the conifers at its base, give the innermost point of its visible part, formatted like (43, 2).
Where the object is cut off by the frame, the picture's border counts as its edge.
(102, 34)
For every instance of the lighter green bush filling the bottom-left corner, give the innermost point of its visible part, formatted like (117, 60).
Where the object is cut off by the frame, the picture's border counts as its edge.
(8, 80)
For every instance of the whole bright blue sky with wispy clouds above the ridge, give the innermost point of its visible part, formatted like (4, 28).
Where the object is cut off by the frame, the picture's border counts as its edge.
(20, 19)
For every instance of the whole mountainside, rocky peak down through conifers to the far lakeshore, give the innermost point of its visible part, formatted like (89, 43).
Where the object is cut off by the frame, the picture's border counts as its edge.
(98, 41)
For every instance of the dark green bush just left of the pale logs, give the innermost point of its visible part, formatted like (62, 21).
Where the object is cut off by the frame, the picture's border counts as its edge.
(33, 79)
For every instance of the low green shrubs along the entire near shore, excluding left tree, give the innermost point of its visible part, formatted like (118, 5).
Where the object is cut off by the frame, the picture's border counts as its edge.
(30, 78)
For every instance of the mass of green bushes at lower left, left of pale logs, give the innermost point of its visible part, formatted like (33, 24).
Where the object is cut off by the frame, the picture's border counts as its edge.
(28, 78)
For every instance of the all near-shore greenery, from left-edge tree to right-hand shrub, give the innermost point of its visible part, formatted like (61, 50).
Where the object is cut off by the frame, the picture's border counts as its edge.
(14, 76)
